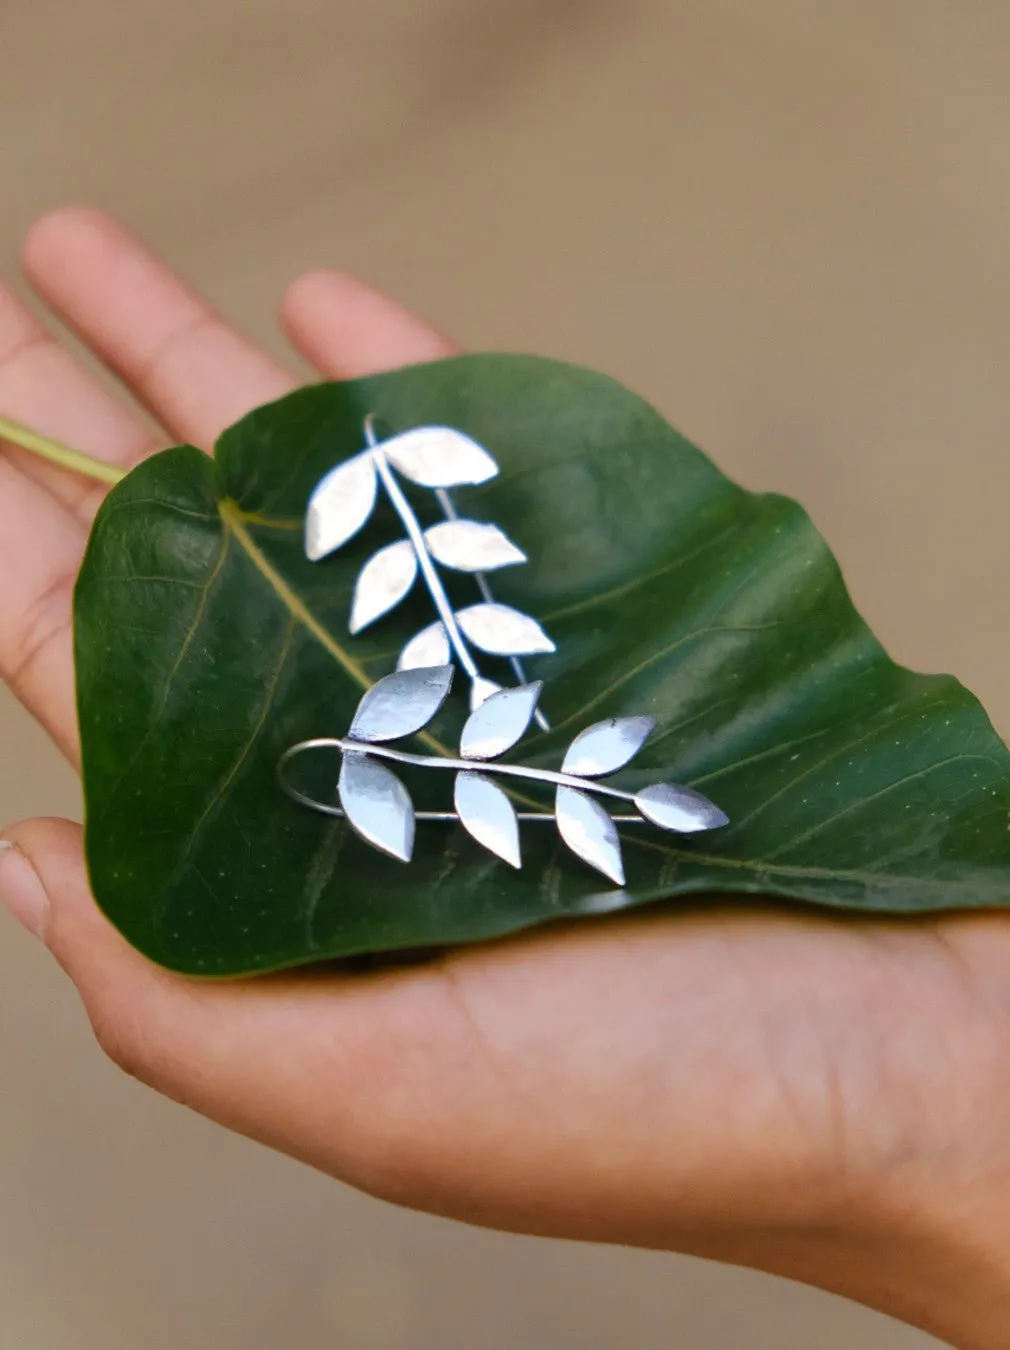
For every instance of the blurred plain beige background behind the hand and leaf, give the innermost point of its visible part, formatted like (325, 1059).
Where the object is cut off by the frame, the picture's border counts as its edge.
(788, 225)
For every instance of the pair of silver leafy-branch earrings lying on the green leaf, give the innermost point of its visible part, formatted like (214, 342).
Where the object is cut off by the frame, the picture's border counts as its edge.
(372, 799)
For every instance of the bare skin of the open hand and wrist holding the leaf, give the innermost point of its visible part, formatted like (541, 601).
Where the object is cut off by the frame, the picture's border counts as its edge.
(823, 1100)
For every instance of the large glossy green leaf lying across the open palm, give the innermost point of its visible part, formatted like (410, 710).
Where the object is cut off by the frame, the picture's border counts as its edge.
(207, 645)
